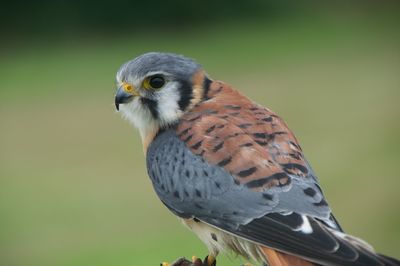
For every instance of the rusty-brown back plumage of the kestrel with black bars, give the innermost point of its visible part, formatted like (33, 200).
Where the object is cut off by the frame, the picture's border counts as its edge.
(247, 140)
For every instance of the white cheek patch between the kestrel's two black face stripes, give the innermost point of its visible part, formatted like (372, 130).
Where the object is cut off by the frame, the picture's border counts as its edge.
(168, 108)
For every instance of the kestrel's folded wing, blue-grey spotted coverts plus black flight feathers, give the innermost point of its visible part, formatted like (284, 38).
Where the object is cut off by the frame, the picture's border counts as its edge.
(295, 219)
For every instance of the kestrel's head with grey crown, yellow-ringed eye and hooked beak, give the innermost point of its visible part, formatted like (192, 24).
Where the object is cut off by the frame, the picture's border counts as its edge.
(156, 89)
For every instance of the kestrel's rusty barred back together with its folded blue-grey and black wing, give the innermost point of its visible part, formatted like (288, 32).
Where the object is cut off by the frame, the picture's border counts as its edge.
(236, 166)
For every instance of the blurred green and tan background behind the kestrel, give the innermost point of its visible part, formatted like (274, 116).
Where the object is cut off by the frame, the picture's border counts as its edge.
(73, 183)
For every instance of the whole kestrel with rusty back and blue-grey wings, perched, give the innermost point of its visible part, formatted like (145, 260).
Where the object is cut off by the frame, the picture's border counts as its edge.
(231, 169)
